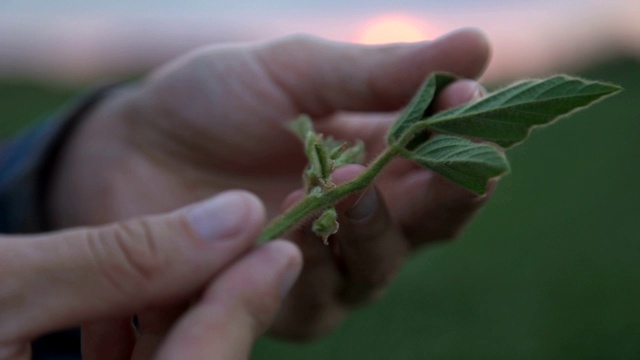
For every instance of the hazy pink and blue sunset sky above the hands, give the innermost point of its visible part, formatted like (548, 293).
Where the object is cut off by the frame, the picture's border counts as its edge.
(80, 40)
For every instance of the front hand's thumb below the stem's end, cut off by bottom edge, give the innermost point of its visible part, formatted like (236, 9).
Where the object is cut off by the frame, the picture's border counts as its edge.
(238, 306)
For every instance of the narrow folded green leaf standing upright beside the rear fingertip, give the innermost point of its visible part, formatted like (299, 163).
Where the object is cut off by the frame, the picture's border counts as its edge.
(417, 108)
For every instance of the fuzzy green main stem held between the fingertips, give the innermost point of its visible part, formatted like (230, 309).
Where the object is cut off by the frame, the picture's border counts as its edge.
(313, 204)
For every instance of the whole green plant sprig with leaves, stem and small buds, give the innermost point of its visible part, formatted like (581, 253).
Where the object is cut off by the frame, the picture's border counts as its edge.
(463, 144)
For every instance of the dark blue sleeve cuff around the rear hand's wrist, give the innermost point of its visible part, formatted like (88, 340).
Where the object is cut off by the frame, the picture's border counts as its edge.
(26, 161)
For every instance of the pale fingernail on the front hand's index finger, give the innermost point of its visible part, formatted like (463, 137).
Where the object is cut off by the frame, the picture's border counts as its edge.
(218, 218)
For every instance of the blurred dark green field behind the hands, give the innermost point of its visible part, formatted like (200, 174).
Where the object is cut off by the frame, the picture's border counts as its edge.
(550, 269)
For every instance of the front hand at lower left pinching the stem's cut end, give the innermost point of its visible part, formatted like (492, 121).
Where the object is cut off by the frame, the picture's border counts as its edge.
(203, 252)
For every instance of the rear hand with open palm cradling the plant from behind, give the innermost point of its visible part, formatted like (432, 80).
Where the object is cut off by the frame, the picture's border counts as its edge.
(213, 120)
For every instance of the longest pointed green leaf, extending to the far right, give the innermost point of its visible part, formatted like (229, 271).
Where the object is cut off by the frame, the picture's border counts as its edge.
(506, 117)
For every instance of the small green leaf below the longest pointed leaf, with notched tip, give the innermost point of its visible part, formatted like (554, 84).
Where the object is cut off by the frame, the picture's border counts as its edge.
(460, 160)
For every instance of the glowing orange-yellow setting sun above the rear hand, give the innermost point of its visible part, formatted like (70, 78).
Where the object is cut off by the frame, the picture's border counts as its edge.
(393, 28)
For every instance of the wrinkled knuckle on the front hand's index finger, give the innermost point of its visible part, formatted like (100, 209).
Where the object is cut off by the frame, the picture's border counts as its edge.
(127, 256)
